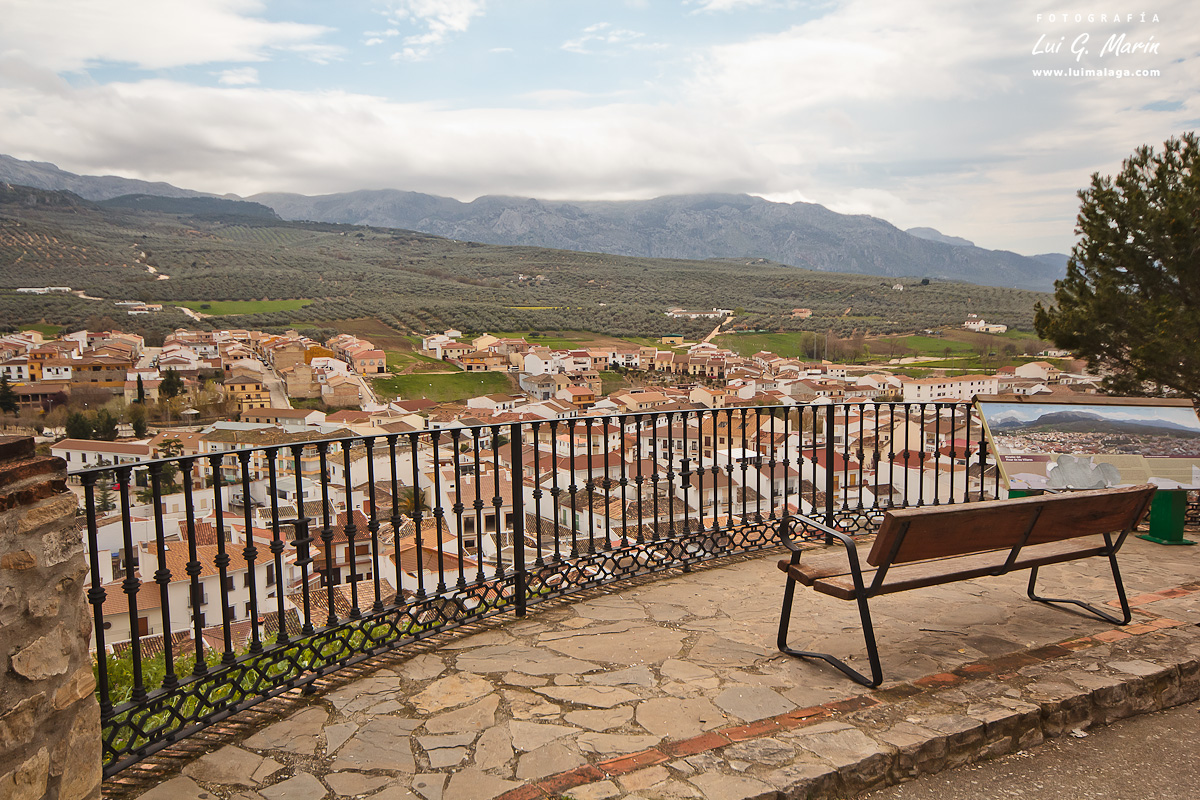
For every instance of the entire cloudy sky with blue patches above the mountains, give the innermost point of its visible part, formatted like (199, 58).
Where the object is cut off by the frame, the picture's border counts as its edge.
(925, 113)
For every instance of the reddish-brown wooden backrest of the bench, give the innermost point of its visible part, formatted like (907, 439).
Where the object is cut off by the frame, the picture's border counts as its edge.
(929, 533)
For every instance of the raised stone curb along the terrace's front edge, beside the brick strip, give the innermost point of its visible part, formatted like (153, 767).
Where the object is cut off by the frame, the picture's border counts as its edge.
(940, 721)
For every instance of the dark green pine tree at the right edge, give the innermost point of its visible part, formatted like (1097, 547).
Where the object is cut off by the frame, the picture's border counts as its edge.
(1131, 300)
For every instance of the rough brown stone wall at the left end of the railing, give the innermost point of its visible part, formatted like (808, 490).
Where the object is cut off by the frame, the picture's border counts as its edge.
(50, 720)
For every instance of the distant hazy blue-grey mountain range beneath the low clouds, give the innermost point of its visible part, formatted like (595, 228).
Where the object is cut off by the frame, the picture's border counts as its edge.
(688, 227)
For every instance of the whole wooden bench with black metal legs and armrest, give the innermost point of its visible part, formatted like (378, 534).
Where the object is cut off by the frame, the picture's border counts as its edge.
(938, 545)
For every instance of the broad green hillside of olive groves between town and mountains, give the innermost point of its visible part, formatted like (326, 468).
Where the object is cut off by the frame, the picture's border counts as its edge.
(419, 282)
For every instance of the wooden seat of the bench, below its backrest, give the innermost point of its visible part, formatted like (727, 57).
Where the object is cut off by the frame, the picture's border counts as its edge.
(835, 580)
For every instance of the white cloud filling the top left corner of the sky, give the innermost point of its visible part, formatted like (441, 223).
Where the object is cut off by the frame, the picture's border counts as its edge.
(74, 35)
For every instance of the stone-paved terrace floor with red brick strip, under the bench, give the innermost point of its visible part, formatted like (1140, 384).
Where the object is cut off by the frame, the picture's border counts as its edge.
(674, 689)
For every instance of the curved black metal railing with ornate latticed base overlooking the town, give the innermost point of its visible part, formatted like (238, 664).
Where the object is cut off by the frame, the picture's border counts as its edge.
(261, 570)
